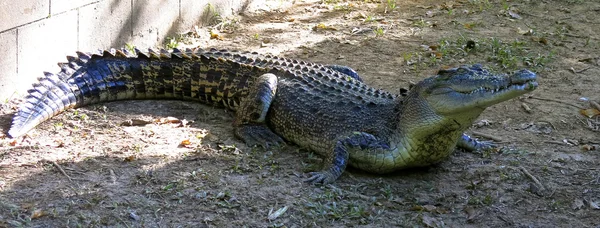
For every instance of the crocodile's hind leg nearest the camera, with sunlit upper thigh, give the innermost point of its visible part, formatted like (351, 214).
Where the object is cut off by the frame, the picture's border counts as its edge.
(250, 116)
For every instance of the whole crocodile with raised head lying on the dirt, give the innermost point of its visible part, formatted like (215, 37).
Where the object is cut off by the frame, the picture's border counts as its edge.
(326, 109)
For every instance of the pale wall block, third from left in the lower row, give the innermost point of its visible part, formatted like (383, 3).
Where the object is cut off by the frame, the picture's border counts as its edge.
(106, 24)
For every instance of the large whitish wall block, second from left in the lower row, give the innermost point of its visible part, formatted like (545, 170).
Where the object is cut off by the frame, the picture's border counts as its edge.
(42, 45)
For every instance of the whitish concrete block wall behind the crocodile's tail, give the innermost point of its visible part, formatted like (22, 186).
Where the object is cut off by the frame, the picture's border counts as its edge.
(36, 34)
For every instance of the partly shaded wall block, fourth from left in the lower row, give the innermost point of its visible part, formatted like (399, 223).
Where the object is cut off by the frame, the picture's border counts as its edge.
(153, 21)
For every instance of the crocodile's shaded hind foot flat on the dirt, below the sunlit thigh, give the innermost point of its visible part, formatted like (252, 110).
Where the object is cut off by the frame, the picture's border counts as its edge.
(258, 135)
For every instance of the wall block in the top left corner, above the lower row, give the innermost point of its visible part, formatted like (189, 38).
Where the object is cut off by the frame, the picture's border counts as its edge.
(16, 13)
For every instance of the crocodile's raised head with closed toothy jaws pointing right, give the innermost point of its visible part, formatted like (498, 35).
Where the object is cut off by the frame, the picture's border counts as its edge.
(461, 94)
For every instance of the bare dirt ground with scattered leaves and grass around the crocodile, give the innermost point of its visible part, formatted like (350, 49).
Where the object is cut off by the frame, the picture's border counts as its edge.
(85, 168)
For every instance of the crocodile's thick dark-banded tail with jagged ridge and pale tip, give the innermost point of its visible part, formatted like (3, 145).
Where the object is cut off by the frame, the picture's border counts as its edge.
(121, 75)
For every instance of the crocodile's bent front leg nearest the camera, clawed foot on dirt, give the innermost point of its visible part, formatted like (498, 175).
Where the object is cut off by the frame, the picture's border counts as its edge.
(358, 143)
